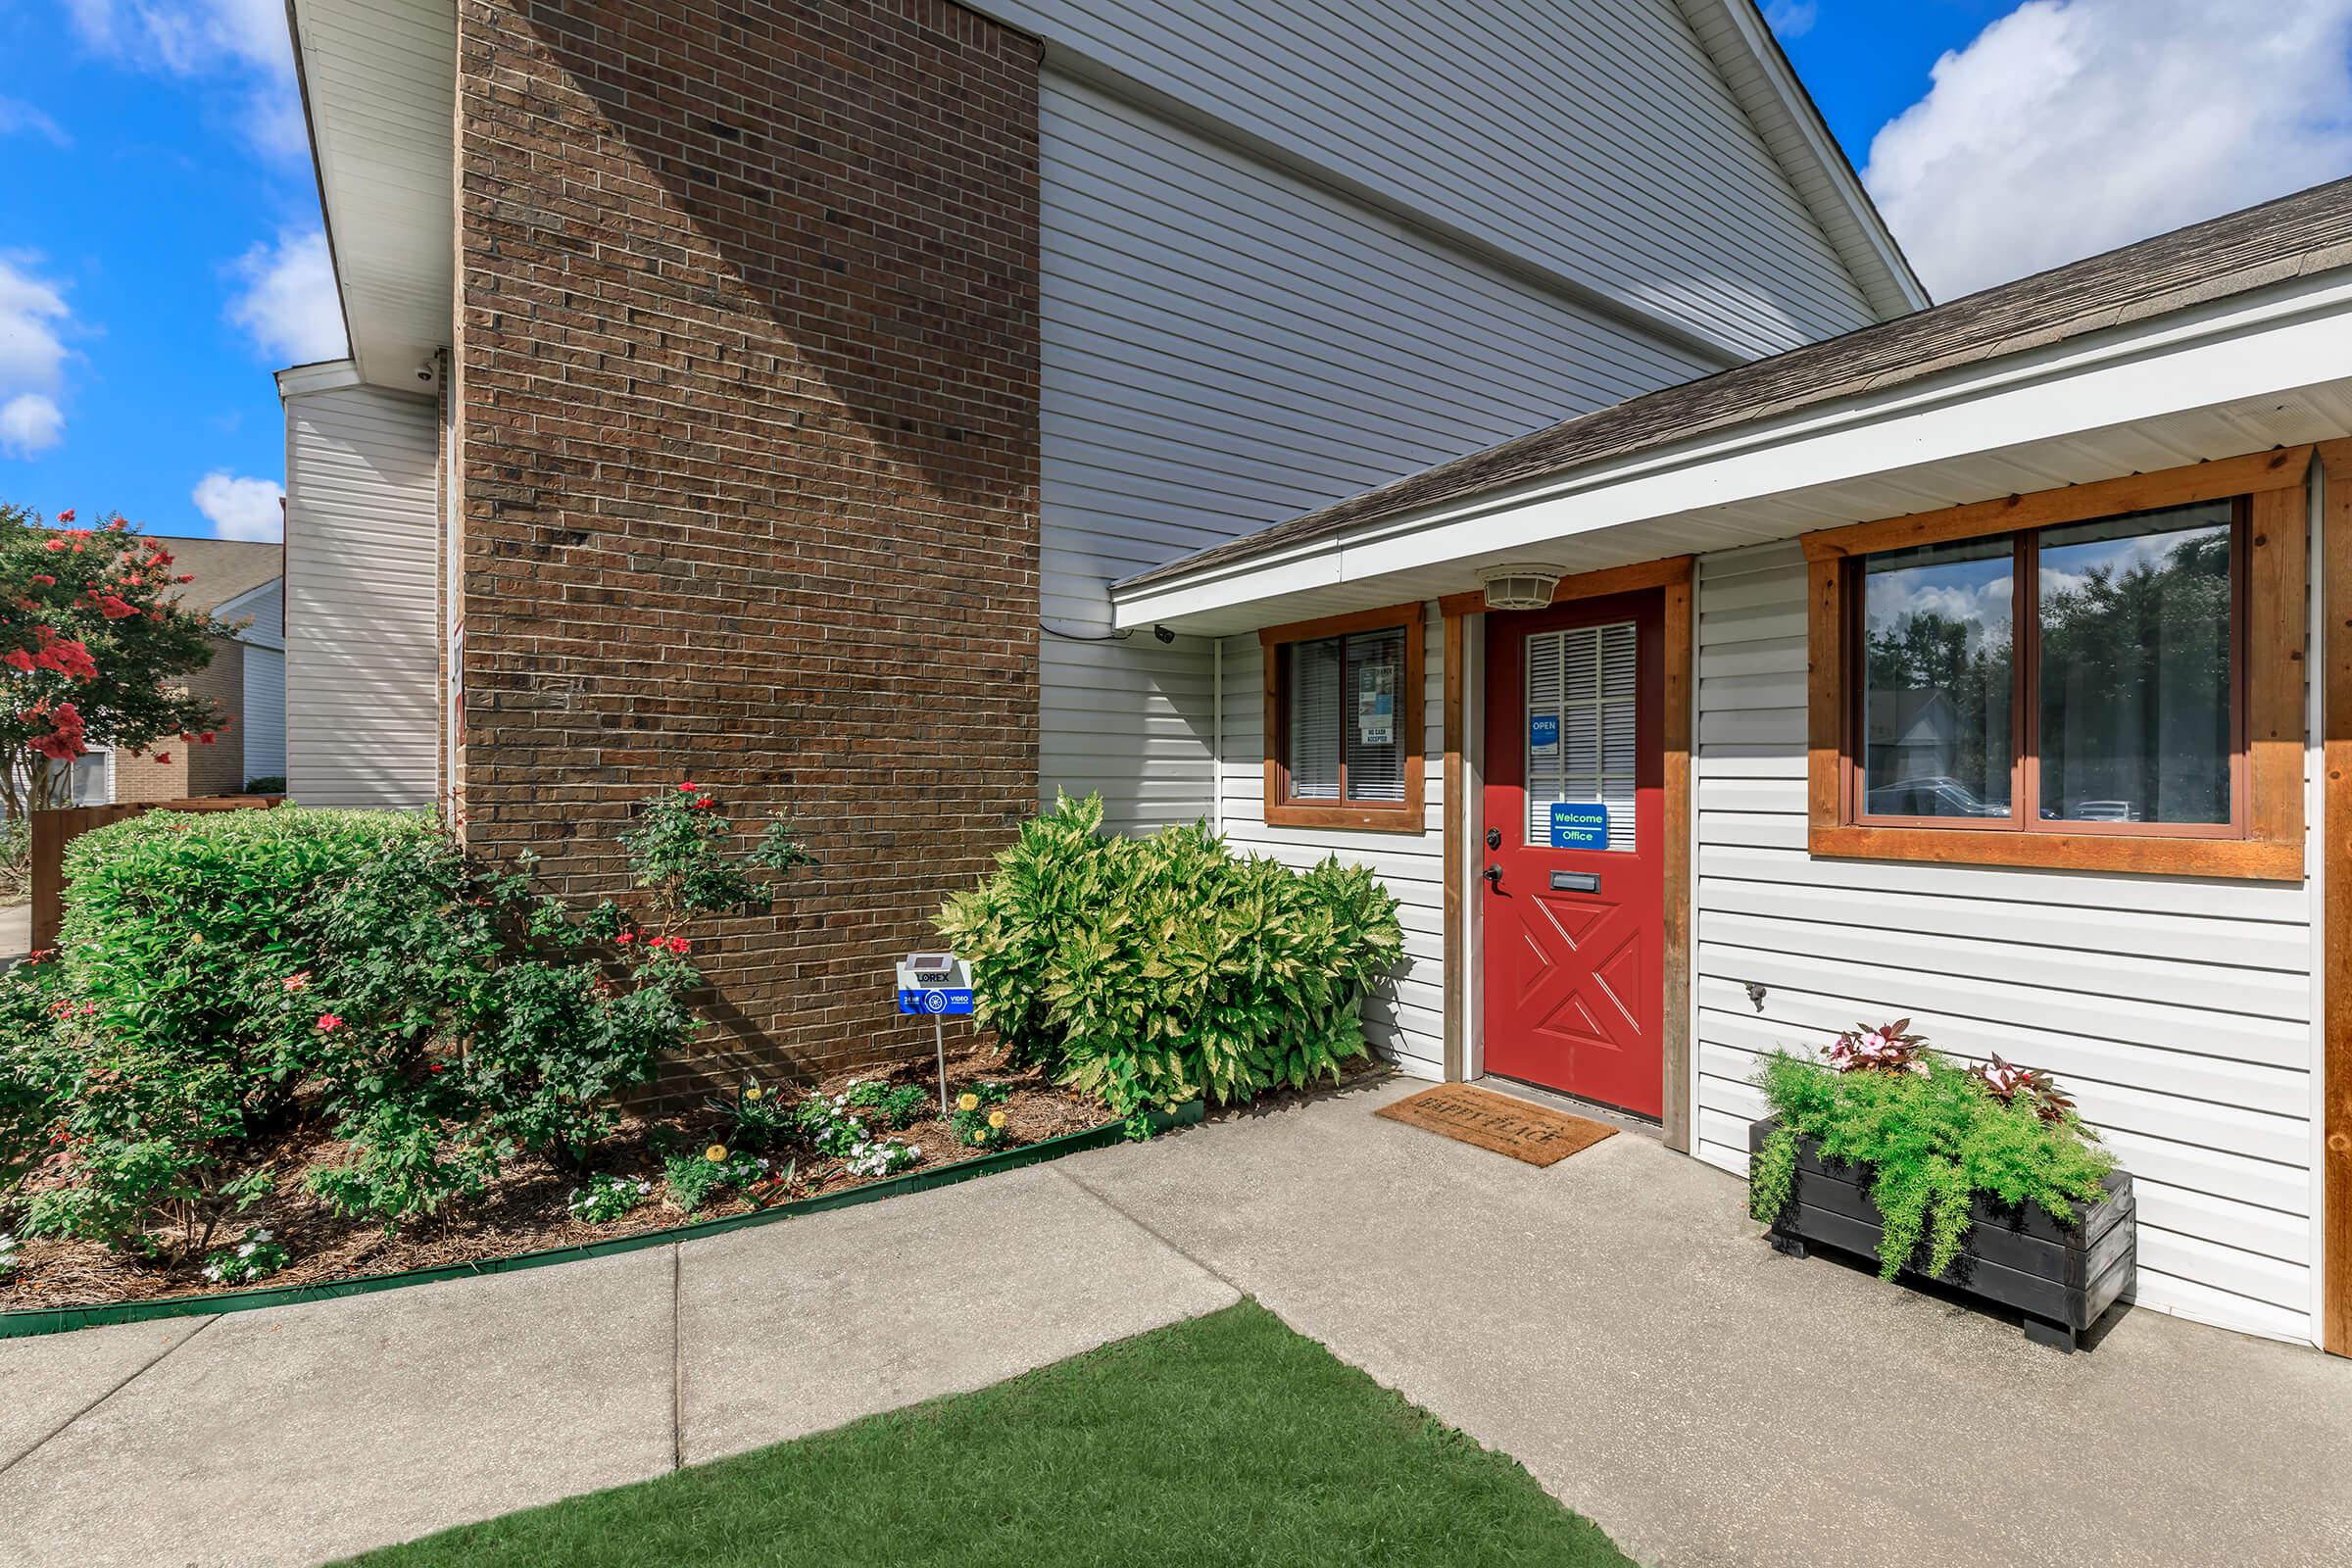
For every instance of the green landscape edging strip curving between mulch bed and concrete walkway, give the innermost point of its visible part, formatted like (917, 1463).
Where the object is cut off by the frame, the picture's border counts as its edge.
(62, 1320)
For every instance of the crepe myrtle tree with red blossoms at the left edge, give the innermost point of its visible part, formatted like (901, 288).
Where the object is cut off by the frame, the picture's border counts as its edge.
(93, 650)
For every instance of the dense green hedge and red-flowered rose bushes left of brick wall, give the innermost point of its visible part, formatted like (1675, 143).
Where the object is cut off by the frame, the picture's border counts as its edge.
(229, 972)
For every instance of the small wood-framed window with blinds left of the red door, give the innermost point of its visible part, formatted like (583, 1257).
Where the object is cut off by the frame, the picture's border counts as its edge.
(1344, 723)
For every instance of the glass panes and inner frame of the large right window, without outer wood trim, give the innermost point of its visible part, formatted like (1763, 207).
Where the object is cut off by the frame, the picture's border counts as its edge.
(2080, 678)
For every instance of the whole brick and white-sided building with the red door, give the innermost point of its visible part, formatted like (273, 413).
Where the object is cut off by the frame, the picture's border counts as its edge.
(895, 415)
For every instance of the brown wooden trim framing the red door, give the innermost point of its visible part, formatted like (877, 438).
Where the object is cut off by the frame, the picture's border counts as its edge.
(1673, 577)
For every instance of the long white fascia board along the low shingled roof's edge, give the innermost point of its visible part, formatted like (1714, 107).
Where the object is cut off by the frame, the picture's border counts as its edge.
(2292, 337)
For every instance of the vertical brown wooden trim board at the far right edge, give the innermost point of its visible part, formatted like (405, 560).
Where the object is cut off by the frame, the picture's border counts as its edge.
(2337, 906)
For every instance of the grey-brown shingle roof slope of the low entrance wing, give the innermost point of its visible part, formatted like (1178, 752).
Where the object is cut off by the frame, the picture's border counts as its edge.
(2294, 236)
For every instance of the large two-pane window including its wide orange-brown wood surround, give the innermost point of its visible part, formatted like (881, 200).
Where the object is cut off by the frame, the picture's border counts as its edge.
(2106, 676)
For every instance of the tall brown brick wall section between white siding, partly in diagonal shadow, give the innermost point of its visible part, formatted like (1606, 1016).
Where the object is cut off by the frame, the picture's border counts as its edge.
(749, 457)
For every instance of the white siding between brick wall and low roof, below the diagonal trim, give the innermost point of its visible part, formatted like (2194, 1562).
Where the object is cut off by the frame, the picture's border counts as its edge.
(1227, 347)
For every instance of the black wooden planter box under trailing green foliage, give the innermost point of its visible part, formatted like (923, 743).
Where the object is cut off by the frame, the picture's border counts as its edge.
(2059, 1278)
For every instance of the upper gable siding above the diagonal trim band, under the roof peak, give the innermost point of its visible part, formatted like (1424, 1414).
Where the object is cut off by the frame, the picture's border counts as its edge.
(1591, 138)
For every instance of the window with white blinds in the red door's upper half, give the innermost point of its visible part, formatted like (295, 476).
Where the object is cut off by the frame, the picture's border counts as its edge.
(1582, 728)
